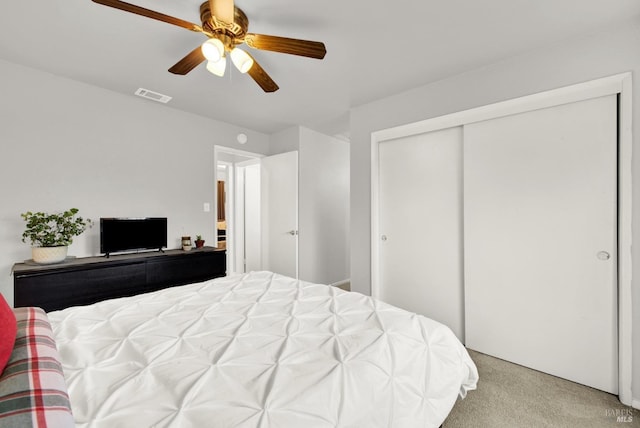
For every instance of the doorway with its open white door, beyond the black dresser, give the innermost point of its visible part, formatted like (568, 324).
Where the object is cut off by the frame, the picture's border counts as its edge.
(260, 221)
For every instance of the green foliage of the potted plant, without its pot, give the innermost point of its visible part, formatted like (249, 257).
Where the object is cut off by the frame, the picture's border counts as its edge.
(52, 230)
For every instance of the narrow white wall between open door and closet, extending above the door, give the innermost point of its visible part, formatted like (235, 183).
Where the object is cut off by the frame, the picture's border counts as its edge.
(323, 213)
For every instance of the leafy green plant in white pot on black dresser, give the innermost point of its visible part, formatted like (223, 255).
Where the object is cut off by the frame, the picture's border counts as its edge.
(51, 234)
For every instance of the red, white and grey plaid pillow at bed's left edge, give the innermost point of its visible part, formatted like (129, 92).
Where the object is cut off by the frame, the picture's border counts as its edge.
(33, 392)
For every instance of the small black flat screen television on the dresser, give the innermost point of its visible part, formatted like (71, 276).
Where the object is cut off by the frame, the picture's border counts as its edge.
(130, 234)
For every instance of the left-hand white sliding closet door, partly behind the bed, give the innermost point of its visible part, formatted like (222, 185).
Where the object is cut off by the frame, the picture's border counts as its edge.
(420, 223)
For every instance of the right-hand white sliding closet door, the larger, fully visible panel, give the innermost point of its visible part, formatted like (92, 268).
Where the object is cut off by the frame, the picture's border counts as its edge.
(540, 240)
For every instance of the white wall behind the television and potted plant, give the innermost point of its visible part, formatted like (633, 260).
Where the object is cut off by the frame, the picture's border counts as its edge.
(65, 144)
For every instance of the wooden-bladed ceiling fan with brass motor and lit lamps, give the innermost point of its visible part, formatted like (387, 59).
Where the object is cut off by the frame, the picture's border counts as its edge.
(226, 27)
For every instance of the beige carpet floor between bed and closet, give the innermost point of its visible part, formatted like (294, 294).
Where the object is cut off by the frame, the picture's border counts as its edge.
(513, 396)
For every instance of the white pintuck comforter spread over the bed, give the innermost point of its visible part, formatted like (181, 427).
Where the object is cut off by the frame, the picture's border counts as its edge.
(258, 350)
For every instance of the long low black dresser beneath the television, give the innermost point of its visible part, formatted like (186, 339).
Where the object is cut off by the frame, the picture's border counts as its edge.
(86, 280)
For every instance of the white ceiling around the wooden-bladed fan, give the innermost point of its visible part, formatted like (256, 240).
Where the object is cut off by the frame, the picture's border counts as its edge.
(374, 49)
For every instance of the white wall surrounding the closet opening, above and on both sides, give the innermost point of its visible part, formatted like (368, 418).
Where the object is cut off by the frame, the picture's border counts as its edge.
(574, 61)
